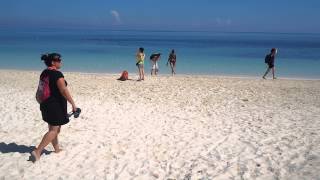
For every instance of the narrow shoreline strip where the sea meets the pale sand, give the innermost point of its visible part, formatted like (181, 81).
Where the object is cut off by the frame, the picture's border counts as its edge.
(178, 75)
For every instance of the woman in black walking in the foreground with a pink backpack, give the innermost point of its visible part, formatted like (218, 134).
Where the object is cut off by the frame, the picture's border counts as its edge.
(52, 94)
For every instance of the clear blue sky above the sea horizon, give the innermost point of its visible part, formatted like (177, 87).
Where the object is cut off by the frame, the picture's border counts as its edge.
(213, 15)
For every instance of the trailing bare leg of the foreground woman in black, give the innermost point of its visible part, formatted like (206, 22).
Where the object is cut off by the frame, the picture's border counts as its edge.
(47, 138)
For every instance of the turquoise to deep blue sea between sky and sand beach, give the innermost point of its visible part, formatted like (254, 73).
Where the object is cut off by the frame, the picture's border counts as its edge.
(209, 53)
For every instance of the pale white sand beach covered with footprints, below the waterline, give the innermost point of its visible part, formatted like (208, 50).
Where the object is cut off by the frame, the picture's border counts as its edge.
(183, 127)
